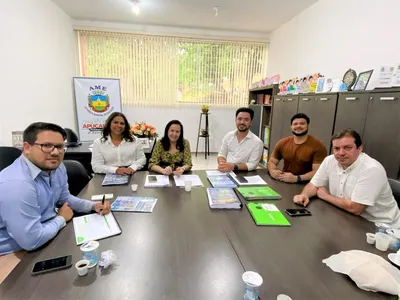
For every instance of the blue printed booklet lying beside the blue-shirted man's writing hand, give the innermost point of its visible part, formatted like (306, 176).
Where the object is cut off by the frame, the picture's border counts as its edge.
(136, 204)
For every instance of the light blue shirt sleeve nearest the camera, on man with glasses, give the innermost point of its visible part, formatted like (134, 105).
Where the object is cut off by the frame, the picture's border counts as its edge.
(21, 212)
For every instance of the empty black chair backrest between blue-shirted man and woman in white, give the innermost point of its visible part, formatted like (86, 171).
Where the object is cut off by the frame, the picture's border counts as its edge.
(77, 176)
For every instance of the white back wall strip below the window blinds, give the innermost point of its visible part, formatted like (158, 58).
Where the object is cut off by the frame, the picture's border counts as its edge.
(221, 120)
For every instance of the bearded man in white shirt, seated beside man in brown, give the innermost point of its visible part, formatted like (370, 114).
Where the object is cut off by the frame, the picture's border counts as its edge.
(241, 149)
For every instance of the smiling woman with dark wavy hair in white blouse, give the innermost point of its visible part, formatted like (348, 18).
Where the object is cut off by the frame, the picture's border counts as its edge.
(117, 151)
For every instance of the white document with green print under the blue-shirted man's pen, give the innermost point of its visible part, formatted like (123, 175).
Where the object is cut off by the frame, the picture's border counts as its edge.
(94, 227)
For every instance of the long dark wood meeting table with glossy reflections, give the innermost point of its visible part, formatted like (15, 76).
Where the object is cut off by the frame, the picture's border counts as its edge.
(184, 250)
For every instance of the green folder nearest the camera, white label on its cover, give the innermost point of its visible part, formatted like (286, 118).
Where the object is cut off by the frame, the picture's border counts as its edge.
(267, 214)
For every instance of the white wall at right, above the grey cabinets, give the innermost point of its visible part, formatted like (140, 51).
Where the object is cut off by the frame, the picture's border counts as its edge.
(331, 36)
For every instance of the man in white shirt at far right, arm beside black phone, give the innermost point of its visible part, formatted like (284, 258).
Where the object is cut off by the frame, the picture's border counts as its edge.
(353, 181)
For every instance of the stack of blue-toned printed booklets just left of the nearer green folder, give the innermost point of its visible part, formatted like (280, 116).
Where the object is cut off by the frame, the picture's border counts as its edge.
(223, 198)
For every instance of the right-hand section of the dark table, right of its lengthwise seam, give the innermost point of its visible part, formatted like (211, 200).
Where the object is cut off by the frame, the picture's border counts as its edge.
(290, 258)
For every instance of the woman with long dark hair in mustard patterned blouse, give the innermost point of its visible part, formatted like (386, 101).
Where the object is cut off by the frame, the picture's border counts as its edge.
(171, 154)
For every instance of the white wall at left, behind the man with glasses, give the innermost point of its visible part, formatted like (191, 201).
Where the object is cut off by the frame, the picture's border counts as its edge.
(38, 61)
